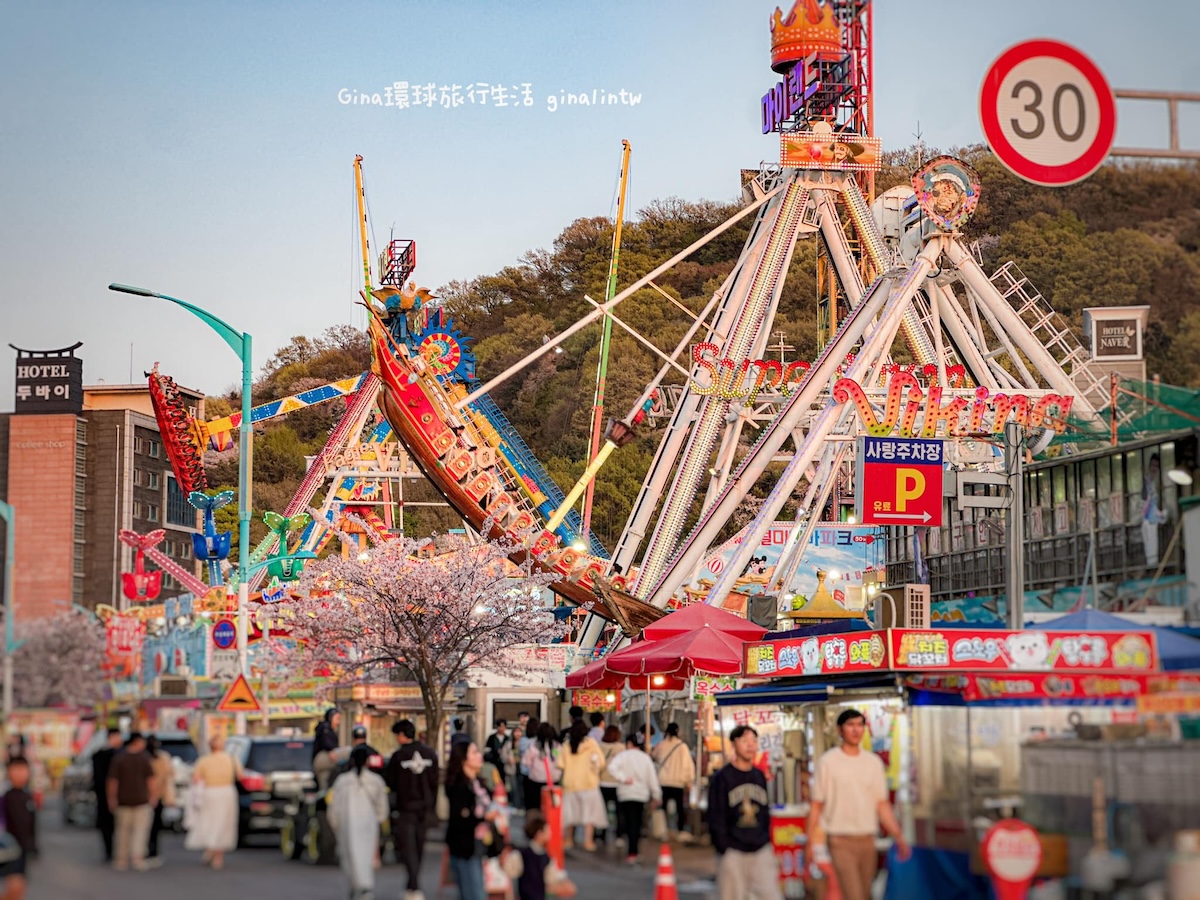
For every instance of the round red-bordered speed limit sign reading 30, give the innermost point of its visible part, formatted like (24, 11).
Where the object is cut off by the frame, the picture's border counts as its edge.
(1048, 113)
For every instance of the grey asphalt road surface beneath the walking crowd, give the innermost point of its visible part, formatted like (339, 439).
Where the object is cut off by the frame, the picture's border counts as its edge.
(70, 869)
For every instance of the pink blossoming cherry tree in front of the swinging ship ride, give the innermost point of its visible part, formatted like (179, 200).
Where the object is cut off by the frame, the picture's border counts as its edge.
(433, 609)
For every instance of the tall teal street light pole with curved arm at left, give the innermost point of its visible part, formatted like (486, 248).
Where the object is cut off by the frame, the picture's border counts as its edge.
(241, 344)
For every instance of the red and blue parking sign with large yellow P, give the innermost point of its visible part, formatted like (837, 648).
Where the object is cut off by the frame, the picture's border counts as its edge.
(899, 482)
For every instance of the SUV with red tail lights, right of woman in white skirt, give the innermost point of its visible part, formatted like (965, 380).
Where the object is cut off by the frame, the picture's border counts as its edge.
(277, 775)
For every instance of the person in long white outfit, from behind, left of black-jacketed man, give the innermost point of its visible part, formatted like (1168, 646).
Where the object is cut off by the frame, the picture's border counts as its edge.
(359, 808)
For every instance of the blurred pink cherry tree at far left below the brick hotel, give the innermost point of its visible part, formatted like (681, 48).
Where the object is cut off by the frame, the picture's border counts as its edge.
(59, 662)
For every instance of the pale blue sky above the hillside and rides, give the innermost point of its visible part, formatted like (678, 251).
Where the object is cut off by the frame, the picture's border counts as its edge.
(201, 149)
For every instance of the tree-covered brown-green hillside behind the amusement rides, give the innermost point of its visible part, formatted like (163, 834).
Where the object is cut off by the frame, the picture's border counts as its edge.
(1130, 235)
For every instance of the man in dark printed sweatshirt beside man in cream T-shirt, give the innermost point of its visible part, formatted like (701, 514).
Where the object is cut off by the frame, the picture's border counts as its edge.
(740, 824)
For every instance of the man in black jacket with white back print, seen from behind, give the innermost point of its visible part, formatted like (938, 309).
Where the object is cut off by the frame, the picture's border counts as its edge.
(412, 776)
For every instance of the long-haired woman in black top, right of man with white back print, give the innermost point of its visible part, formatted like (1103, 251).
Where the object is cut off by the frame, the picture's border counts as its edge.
(471, 830)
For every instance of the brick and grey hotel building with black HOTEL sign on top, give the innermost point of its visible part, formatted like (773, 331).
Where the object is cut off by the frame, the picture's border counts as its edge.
(79, 465)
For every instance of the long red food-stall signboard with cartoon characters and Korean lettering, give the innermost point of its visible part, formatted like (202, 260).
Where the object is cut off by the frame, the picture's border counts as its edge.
(1073, 653)
